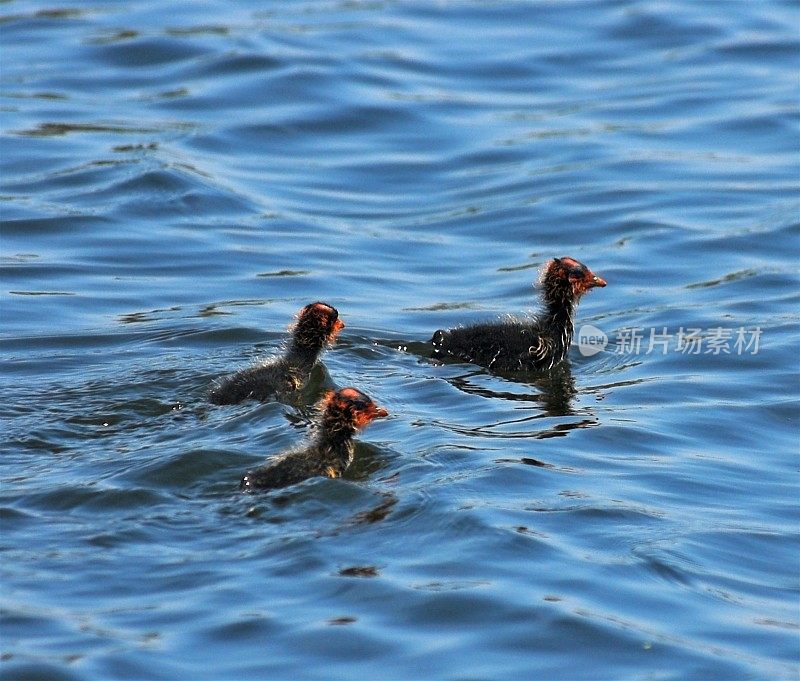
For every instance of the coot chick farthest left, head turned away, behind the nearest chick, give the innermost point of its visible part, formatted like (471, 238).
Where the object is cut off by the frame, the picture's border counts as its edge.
(317, 325)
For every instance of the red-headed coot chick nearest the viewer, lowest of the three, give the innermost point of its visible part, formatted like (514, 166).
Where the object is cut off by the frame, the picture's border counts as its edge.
(329, 452)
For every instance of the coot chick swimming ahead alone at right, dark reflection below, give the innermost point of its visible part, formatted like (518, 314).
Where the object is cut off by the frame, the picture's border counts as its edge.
(534, 344)
